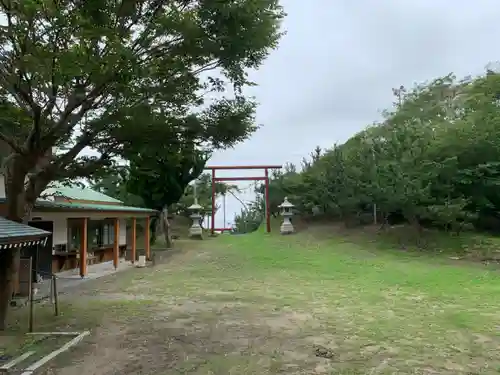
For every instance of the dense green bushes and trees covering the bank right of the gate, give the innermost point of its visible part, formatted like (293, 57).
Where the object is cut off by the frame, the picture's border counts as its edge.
(433, 160)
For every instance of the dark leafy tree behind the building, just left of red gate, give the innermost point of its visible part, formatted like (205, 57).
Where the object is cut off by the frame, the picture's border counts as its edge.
(161, 170)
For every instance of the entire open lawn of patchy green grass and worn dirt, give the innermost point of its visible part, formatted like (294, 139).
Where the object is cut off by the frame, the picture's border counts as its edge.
(260, 304)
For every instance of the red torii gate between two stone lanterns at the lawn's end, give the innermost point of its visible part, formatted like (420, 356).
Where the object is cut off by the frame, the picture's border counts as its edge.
(265, 178)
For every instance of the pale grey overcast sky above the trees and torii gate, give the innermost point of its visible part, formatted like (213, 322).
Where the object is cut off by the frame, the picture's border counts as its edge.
(333, 72)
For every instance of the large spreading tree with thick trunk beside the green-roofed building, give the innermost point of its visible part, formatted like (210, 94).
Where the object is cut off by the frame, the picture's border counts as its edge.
(95, 73)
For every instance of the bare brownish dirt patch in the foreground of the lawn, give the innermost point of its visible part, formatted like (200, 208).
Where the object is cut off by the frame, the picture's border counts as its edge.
(193, 343)
